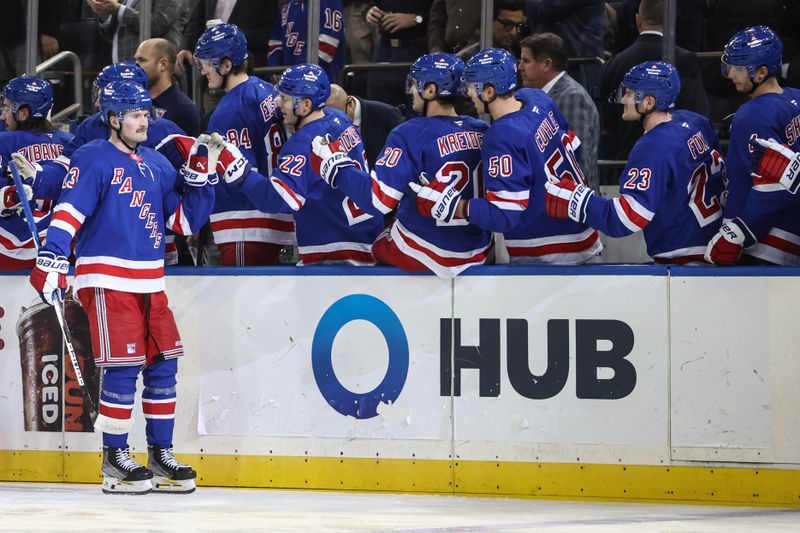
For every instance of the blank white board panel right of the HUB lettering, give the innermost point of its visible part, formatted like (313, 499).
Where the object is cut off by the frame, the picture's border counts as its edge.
(735, 346)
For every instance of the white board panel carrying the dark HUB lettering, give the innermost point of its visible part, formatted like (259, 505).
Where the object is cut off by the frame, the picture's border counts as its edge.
(564, 360)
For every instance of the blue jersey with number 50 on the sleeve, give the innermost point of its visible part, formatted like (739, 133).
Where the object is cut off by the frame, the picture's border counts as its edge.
(520, 151)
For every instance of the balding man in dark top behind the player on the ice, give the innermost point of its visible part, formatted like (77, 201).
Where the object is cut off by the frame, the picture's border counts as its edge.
(157, 59)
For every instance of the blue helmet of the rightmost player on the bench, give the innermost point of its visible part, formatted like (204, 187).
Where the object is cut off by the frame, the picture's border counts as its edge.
(751, 48)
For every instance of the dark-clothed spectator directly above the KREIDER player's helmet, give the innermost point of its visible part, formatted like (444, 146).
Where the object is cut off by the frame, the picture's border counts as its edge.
(453, 25)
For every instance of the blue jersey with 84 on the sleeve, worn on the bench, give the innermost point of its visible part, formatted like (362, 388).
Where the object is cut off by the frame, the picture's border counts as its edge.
(247, 116)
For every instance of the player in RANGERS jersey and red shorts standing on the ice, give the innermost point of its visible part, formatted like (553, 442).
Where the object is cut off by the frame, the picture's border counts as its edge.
(119, 197)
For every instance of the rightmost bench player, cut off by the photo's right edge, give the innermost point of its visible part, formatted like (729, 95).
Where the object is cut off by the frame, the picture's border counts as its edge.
(760, 222)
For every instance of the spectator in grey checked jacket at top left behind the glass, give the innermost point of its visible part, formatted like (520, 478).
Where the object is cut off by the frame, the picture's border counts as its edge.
(119, 23)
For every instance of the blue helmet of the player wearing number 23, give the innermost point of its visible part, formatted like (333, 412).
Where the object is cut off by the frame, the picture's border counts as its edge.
(654, 78)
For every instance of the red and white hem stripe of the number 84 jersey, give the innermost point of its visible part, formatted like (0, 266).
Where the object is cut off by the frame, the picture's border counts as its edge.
(252, 226)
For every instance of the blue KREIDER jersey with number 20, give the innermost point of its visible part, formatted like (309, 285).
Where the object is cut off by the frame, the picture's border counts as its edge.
(443, 148)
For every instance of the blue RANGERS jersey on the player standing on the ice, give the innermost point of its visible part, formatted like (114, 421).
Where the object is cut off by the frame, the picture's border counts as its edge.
(118, 207)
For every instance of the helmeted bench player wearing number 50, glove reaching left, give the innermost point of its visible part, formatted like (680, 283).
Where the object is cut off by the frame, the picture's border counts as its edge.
(528, 142)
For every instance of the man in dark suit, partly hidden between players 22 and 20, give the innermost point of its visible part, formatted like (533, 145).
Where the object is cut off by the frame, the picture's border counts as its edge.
(373, 119)
